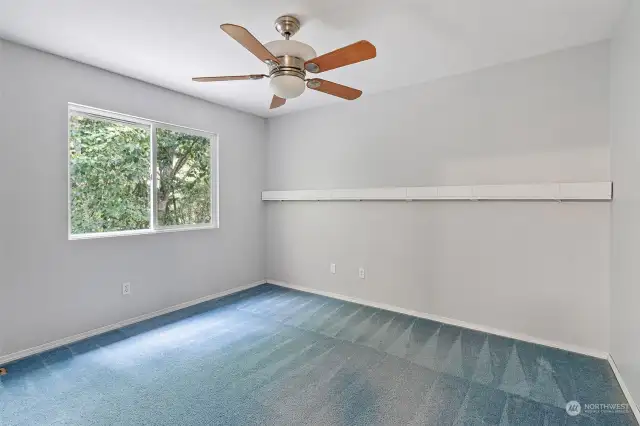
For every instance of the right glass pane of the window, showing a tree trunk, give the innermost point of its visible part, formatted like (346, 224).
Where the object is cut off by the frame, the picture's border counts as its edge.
(183, 170)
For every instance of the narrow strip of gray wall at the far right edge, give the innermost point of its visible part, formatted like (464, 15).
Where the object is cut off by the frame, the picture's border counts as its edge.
(625, 167)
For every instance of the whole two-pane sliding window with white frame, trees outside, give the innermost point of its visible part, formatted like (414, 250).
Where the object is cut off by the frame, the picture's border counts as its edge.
(129, 175)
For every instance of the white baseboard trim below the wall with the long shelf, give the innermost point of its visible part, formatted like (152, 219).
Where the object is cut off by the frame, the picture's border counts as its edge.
(482, 328)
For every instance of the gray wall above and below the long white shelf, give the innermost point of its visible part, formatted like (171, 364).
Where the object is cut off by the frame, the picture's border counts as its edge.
(541, 269)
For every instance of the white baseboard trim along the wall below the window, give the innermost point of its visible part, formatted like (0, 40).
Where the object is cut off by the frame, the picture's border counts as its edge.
(5, 359)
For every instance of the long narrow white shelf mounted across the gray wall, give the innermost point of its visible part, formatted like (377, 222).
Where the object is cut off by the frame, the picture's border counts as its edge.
(584, 191)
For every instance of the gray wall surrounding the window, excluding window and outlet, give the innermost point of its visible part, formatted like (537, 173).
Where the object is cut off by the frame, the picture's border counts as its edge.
(53, 288)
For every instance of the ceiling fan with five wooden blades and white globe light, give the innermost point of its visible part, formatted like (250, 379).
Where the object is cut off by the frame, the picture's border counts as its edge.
(289, 60)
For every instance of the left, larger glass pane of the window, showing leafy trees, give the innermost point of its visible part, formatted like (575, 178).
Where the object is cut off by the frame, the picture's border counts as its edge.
(109, 172)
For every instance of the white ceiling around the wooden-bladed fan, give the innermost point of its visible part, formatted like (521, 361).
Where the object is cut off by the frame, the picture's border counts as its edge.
(166, 42)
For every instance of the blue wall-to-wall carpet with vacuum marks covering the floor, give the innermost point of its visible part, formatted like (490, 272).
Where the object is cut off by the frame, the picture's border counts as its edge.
(270, 356)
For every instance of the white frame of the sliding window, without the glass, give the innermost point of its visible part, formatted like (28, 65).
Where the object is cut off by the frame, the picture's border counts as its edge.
(77, 109)
